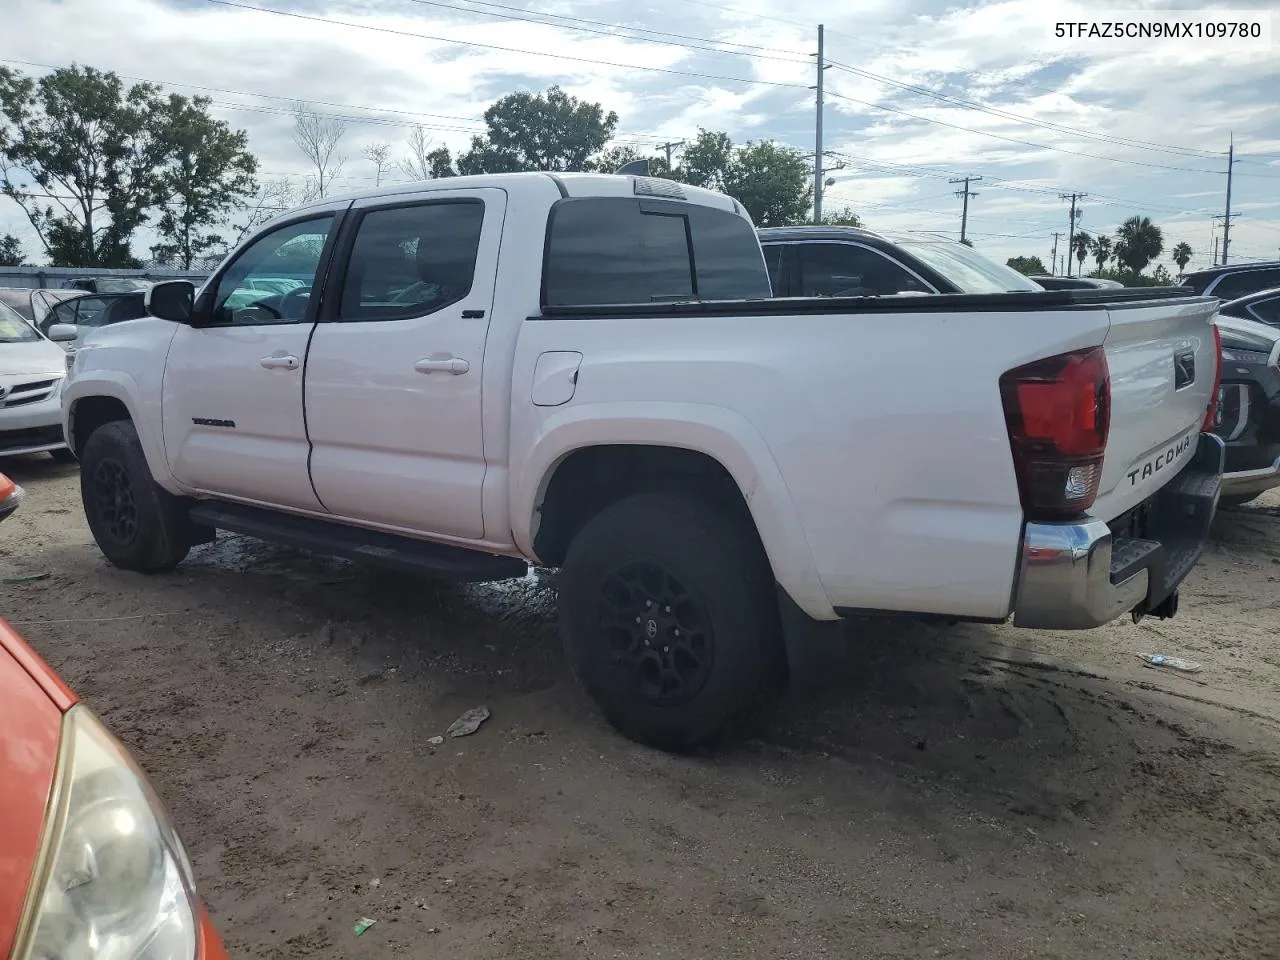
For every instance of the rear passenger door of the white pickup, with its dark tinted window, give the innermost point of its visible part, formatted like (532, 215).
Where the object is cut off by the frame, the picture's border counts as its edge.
(395, 371)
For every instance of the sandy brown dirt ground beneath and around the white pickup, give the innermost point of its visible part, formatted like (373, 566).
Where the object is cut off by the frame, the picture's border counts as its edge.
(958, 793)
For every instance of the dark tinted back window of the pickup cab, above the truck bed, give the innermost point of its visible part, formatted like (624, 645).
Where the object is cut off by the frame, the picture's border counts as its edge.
(621, 250)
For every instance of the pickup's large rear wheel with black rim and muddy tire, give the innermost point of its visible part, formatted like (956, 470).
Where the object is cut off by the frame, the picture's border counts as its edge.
(670, 619)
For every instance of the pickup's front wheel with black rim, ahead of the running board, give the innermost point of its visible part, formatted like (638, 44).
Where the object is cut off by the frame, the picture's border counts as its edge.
(136, 524)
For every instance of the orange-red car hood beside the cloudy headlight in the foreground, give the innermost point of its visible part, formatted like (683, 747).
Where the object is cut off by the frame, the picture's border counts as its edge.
(34, 702)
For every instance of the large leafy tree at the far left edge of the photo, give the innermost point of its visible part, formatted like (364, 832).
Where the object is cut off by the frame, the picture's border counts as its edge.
(79, 157)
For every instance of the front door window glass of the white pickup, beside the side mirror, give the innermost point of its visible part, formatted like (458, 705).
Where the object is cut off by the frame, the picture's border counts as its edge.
(290, 253)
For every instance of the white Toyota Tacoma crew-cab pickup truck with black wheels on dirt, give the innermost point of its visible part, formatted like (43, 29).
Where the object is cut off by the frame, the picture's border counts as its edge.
(470, 376)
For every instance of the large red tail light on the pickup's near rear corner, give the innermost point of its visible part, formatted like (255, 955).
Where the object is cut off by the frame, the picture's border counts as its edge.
(1058, 413)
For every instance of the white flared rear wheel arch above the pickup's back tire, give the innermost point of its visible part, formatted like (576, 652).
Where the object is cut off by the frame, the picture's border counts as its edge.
(669, 440)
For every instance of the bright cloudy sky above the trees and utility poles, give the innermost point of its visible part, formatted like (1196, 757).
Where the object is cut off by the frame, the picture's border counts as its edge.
(920, 93)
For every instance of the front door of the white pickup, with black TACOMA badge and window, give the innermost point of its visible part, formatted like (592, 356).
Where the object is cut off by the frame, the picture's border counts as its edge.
(234, 420)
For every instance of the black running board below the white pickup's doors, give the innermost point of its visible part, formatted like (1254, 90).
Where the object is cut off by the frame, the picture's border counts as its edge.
(392, 551)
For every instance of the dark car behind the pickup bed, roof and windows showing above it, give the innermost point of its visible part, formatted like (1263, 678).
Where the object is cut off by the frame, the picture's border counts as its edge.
(849, 262)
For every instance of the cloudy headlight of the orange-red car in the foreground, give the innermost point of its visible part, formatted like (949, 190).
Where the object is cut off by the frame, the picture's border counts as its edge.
(113, 881)
